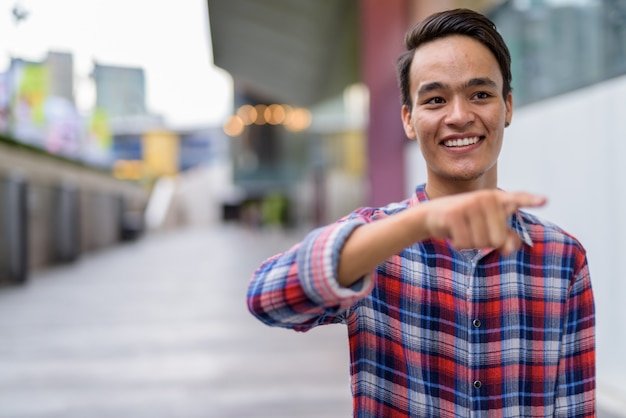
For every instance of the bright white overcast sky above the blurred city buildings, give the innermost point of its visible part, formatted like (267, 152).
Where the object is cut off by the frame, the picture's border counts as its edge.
(169, 38)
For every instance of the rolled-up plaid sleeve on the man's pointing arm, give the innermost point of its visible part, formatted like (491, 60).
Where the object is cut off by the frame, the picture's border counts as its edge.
(299, 288)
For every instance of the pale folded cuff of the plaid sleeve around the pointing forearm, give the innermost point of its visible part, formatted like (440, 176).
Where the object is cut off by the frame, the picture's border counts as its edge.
(318, 261)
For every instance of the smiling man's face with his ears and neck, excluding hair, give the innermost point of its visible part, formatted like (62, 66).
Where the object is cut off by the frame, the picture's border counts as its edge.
(458, 113)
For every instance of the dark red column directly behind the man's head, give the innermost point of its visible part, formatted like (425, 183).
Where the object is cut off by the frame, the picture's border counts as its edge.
(383, 24)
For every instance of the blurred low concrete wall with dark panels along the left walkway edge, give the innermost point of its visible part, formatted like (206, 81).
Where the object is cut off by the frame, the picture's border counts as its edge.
(52, 210)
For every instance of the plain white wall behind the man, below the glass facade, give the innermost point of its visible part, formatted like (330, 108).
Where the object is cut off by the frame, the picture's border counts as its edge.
(572, 148)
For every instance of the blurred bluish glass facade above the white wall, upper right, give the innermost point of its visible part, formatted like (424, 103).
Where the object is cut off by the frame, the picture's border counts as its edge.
(562, 45)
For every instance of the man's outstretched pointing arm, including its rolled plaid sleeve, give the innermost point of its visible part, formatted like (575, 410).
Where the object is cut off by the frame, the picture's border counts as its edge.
(315, 282)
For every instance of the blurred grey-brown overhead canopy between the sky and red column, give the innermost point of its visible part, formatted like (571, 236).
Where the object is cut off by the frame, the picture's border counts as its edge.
(292, 51)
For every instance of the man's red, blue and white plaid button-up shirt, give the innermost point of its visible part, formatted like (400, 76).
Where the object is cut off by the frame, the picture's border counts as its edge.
(435, 332)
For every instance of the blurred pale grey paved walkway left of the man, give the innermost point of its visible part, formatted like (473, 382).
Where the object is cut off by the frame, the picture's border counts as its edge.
(159, 328)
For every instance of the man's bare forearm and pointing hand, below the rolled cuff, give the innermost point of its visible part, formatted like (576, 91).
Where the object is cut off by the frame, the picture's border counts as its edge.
(469, 220)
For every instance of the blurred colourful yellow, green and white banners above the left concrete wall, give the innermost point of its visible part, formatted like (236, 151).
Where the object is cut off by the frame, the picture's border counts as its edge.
(37, 108)
